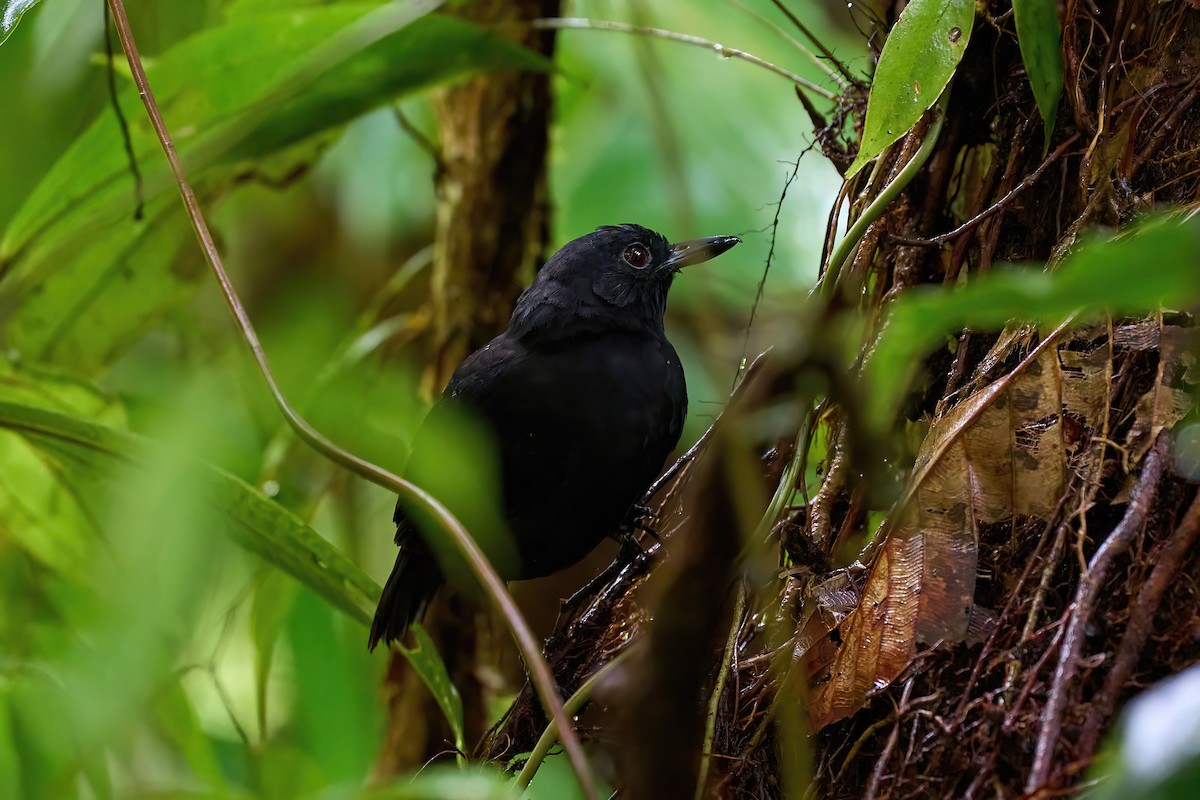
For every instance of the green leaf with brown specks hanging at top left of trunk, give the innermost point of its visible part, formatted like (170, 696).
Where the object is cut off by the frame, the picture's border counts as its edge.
(919, 61)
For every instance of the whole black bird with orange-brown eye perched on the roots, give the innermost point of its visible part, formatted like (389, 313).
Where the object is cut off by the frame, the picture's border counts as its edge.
(583, 398)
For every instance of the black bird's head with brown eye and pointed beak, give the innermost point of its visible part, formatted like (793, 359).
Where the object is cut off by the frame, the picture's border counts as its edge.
(616, 276)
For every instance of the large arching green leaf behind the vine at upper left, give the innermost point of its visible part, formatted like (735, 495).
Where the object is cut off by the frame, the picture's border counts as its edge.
(243, 101)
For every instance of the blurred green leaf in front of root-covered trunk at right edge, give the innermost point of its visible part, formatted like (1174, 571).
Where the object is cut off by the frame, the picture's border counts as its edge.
(1135, 274)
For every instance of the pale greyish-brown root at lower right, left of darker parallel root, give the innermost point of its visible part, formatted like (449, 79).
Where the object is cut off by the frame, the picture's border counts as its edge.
(1087, 598)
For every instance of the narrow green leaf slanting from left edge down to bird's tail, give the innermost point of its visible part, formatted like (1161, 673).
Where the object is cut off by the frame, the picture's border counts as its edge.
(255, 522)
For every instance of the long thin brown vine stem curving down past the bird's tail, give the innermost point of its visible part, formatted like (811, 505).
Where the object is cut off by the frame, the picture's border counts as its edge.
(467, 546)
